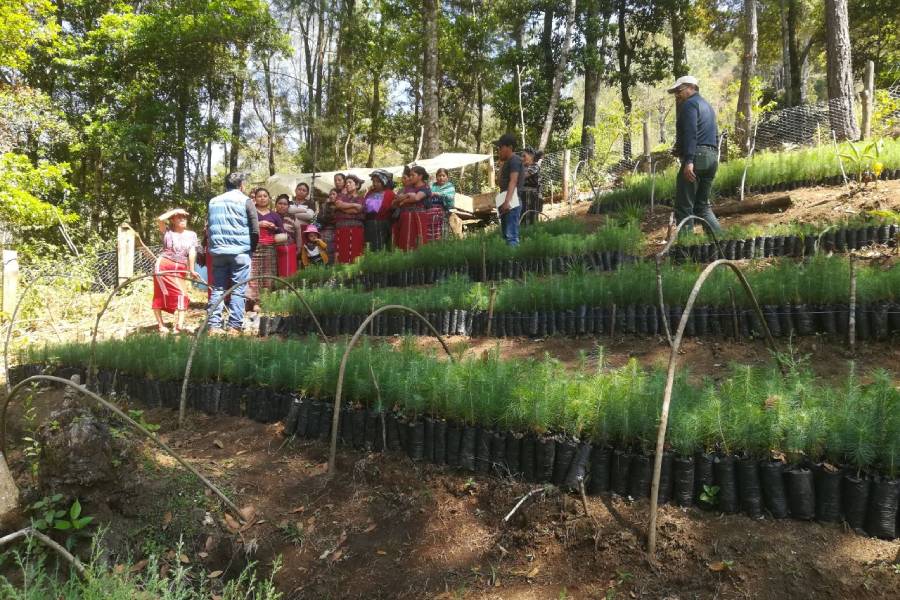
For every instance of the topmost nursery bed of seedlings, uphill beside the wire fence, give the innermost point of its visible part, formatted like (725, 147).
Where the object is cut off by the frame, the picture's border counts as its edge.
(768, 172)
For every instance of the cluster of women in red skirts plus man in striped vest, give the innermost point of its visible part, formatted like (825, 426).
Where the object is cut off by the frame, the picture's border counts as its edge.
(252, 240)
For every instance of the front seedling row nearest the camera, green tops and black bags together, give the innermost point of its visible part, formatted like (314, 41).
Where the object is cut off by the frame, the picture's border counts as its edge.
(757, 442)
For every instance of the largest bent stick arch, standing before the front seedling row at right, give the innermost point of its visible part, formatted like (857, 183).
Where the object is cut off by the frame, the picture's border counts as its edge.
(670, 380)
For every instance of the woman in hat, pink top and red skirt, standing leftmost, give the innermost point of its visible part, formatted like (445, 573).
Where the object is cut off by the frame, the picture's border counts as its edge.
(174, 264)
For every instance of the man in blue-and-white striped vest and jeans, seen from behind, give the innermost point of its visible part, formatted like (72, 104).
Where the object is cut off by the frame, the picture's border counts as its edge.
(233, 232)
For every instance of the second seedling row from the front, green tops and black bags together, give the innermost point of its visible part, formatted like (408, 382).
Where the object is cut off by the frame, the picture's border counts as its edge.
(804, 298)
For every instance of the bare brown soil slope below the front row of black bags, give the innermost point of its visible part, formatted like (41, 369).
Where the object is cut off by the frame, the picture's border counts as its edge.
(385, 527)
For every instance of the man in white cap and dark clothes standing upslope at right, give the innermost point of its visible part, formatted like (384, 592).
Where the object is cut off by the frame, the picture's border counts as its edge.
(696, 145)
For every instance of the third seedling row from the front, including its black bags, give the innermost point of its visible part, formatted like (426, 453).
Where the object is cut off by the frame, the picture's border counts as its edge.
(563, 245)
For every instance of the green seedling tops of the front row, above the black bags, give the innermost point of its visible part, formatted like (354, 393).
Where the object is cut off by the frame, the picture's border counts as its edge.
(750, 410)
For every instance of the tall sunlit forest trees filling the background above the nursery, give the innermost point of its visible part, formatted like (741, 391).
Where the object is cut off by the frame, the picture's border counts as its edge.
(141, 105)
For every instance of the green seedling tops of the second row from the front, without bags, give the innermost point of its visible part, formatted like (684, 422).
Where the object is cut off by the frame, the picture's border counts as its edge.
(819, 280)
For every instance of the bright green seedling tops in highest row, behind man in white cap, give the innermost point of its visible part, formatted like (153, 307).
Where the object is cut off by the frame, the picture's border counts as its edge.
(766, 168)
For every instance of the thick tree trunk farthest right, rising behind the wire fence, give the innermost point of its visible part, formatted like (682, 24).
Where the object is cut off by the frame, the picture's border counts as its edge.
(840, 72)
